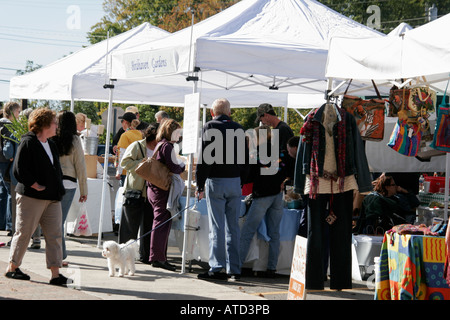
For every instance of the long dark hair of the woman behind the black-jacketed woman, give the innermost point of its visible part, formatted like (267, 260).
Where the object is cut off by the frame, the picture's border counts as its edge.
(67, 129)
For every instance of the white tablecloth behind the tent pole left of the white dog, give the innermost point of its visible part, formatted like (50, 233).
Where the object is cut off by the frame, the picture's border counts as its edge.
(93, 204)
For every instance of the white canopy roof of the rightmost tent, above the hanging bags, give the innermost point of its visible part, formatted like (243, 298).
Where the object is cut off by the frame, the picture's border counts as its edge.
(420, 52)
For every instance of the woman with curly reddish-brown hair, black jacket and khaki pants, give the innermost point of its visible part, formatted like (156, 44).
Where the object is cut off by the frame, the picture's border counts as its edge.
(39, 192)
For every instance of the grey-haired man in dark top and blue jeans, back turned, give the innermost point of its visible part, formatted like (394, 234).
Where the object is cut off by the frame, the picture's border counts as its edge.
(218, 175)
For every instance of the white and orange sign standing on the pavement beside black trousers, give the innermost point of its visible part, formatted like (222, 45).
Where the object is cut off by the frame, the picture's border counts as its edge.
(297, 281)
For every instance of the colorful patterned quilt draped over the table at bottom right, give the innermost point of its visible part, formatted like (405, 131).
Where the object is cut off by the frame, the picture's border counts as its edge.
(412, 268)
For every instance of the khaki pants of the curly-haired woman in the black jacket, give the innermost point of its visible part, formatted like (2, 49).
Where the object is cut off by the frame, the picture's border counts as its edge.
(30, 213)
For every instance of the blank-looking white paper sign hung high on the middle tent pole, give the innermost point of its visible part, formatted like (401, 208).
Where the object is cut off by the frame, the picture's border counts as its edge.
(191, 123)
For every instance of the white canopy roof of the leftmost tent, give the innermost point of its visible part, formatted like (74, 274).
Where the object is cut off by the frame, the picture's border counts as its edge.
(81, 75)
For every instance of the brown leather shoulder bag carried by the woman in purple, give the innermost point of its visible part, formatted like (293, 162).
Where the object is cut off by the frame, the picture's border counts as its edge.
(155, 172)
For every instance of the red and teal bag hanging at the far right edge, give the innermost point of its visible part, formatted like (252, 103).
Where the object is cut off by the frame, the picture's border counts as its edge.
(441, 137)
